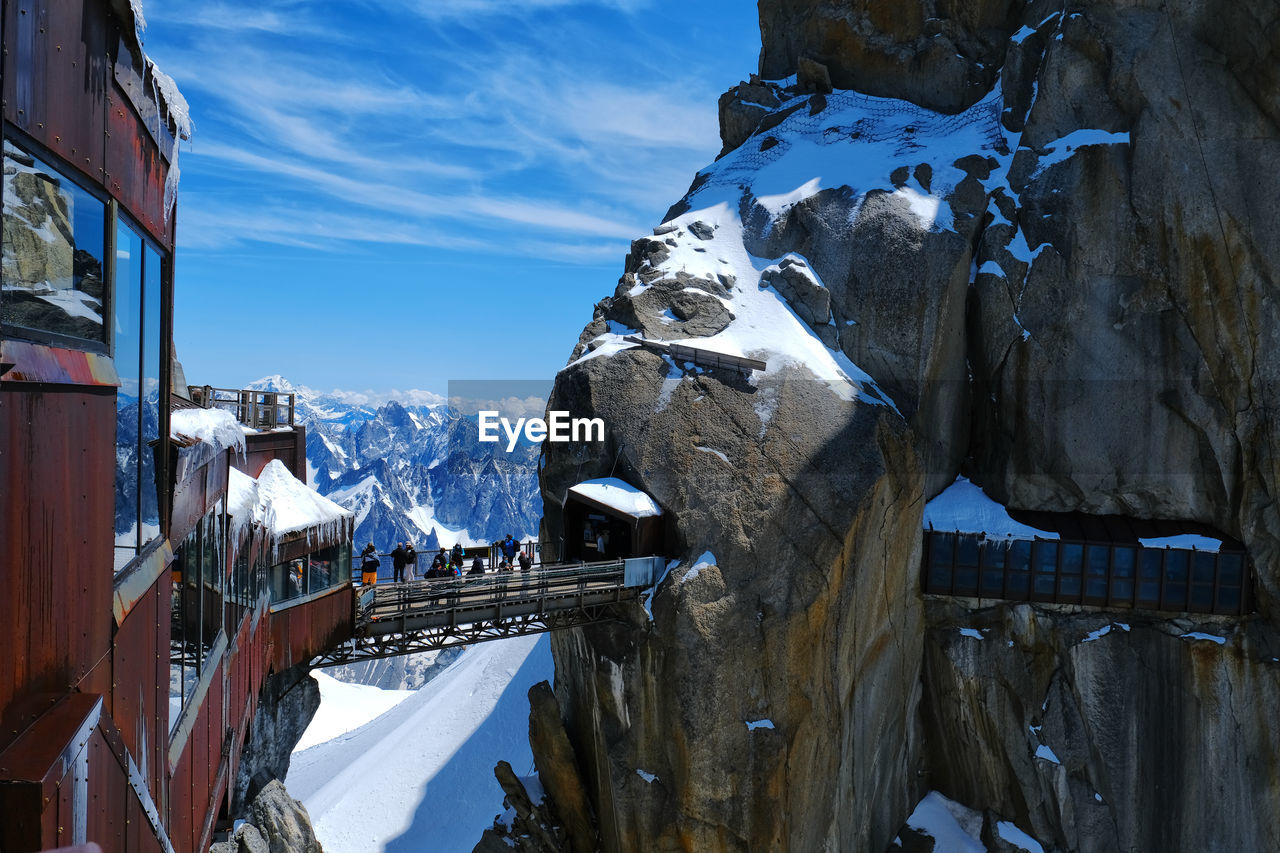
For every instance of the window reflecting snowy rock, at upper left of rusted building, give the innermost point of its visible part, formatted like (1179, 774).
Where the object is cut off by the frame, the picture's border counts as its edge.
(53, 279)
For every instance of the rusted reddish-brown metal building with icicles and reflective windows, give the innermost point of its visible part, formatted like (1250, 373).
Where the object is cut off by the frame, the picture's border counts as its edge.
(141, 614)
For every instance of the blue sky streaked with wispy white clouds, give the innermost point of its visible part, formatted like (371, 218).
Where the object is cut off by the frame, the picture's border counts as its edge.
(396, 194)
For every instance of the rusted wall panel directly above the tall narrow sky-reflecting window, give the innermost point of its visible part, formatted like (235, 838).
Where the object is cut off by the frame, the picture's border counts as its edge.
(135, 170)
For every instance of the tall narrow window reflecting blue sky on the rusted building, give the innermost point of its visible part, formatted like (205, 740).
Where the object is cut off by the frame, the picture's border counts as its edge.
(136, 352)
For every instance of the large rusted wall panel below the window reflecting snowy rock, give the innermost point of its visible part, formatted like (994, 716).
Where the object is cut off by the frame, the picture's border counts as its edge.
(58, 460)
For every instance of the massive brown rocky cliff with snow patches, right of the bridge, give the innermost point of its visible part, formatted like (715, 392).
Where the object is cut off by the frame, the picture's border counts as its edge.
(1028, 241)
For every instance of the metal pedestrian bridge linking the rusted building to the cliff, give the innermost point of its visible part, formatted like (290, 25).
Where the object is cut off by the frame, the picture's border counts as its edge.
(428, 615)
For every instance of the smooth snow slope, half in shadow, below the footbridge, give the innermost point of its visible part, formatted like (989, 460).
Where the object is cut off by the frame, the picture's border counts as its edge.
(418, 778)
